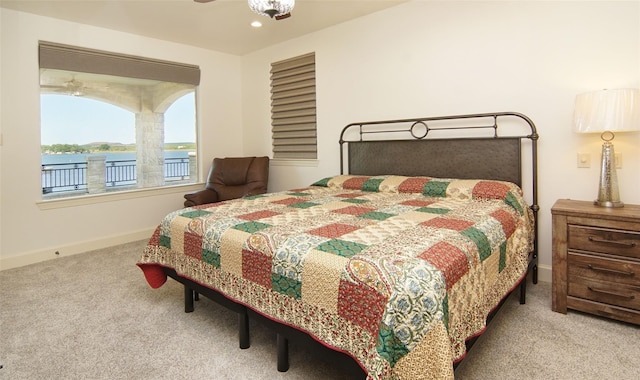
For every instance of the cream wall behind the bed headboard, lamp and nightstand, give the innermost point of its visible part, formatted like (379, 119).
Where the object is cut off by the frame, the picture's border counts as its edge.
(439, 58)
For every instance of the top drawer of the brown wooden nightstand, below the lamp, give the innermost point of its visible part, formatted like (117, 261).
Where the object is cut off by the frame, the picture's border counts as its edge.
(617, 242)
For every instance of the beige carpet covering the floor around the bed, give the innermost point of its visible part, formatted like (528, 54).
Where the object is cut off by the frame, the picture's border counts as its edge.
(92, 316)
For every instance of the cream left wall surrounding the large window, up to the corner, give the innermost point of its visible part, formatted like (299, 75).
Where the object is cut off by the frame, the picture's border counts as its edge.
(30, 233)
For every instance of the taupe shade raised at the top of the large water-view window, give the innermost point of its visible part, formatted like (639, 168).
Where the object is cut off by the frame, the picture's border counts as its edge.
(72, 58)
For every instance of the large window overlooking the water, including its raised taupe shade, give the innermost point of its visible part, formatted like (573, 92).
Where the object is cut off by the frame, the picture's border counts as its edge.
(113, 122)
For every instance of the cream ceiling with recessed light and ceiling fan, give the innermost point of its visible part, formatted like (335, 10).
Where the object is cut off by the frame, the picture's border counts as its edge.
(221, 25)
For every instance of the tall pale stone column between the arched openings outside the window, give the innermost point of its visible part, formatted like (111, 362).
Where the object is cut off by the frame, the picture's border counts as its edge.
(150, 149)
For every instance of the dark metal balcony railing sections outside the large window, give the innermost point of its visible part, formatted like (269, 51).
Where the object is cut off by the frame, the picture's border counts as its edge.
(57, 178)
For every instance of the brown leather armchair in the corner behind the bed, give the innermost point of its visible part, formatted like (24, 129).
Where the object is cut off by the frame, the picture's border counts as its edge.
(230, 178)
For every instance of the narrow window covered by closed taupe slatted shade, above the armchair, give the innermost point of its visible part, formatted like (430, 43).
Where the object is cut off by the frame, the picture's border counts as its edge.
(293, 108)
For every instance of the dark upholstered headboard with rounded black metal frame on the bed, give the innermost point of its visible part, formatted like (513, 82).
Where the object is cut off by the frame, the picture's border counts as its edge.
(475, 146)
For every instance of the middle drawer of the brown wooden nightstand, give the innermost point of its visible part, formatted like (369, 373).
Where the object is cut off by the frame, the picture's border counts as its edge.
(604, 269)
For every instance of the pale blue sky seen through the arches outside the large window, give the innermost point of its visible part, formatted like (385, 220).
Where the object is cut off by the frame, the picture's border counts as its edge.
(76, 120)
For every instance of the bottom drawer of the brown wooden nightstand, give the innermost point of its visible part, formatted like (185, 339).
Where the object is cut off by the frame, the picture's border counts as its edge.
(606, 292)
